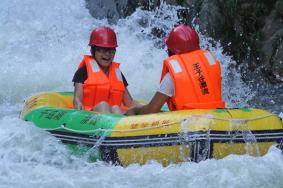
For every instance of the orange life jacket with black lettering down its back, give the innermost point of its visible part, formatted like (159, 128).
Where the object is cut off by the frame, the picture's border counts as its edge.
(197, 80)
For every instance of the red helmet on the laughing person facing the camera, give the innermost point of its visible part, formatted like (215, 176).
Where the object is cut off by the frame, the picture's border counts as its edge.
(103, 37)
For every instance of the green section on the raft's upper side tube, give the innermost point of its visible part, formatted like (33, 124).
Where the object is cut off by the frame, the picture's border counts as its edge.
(81, 121)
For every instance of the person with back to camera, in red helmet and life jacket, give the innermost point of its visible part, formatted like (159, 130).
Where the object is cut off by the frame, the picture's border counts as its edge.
(190, 79)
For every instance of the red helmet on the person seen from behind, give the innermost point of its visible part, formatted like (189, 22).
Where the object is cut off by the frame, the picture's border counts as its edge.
(182, 39)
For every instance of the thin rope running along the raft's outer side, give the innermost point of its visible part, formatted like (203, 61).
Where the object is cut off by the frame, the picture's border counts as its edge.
(237, 120)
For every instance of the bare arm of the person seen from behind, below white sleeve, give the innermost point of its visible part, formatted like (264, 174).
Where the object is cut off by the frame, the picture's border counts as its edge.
(153, 106)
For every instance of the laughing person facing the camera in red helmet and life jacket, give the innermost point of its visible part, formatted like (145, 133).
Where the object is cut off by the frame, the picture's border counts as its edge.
(99, 85)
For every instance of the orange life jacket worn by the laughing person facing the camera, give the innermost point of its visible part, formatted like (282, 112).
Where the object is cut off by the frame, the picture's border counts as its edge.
(98, 87)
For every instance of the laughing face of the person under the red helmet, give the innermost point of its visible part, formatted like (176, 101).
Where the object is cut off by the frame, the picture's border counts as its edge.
(104, 56)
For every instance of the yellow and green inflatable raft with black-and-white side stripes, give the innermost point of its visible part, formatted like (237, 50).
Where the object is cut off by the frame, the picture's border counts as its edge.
(167, 137)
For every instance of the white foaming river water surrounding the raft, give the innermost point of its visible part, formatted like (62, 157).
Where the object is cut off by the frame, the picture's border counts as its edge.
(42, 43)
